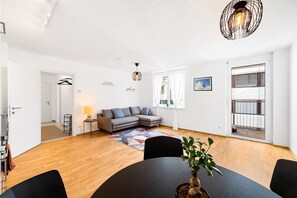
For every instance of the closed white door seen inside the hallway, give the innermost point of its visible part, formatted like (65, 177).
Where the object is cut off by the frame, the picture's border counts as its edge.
(46, 102)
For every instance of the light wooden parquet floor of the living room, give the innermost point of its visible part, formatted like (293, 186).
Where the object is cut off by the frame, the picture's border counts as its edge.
(85, 162)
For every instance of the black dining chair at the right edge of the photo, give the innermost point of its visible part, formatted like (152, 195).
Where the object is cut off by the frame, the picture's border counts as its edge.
(284, 178)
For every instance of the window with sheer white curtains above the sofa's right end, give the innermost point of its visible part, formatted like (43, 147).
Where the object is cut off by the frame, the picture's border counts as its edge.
(169, 89)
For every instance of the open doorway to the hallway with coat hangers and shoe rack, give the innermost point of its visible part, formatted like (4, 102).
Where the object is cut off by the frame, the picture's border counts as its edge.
(57, 106)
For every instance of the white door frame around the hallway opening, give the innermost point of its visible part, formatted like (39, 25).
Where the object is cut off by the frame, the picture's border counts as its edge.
(75, 128)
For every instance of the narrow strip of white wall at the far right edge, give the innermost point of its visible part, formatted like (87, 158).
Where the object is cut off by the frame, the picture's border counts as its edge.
(293, 98)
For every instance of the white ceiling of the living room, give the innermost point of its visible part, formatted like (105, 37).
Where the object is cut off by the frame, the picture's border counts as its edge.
(156, 33)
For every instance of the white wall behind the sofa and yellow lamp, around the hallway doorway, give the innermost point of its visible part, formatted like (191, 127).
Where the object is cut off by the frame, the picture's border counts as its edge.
(88, 90)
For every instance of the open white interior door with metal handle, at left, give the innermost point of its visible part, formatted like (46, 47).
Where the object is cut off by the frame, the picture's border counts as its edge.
(25, 108)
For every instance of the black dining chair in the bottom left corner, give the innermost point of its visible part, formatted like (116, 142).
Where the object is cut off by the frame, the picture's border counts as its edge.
(45, 185)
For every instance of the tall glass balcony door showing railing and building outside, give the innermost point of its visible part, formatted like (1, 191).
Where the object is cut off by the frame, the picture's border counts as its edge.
(248, 102)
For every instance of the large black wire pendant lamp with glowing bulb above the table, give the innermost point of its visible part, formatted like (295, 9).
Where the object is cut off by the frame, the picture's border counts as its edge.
(241, 18)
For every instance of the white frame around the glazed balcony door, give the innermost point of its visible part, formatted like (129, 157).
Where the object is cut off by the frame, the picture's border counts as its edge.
(263, 59)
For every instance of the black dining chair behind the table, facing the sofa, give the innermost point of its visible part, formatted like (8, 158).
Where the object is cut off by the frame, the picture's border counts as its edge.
(162, 146)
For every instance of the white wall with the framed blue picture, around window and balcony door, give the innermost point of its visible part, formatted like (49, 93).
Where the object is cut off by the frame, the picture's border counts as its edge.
(210, 111)
